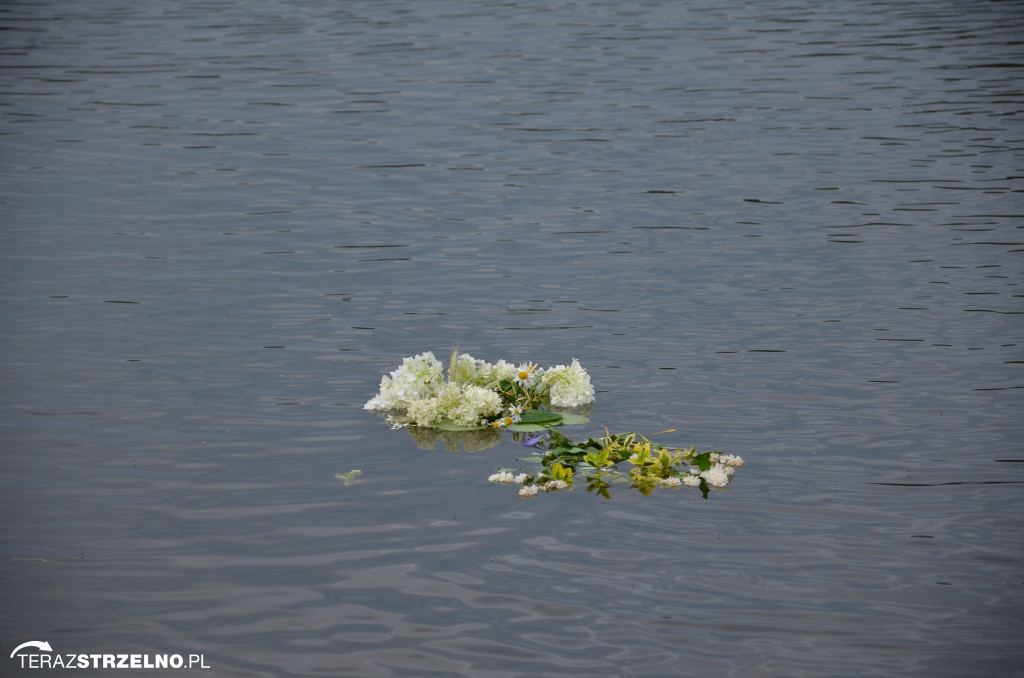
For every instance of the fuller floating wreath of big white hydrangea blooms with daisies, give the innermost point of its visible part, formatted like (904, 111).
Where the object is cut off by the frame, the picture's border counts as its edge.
(472, 394)
